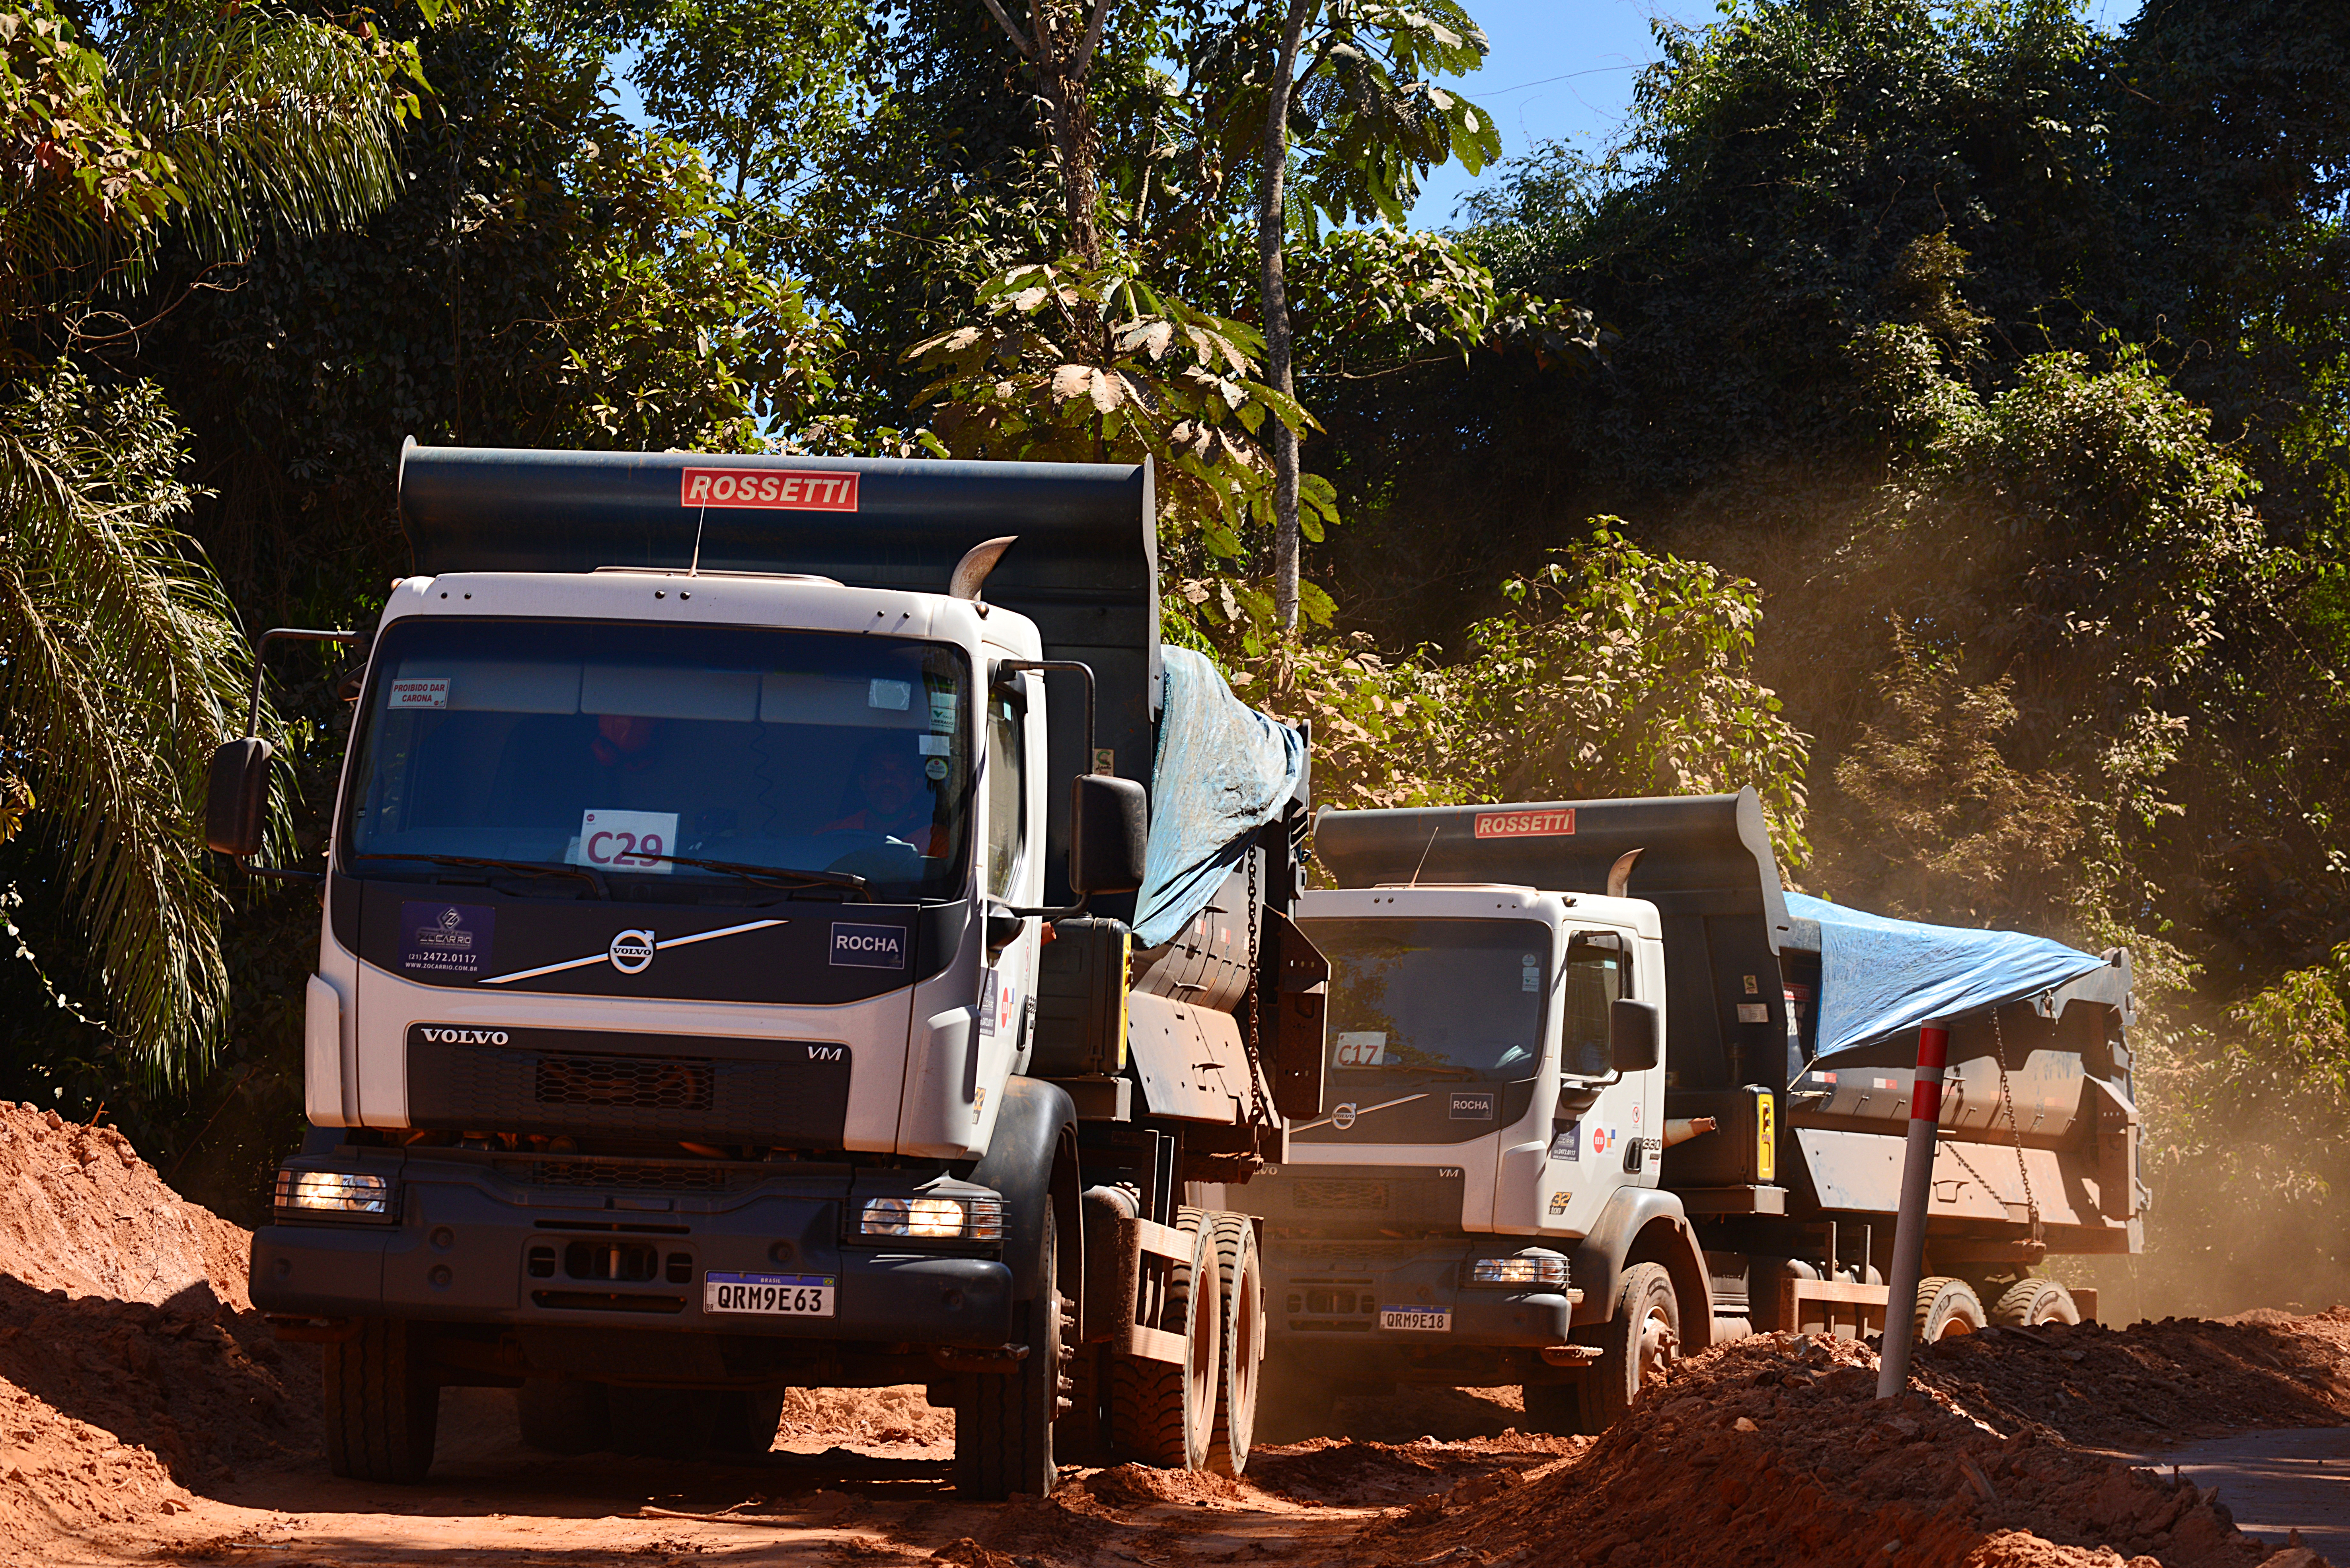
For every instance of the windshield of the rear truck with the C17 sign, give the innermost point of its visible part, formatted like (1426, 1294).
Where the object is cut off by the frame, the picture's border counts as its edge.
(1446, 998)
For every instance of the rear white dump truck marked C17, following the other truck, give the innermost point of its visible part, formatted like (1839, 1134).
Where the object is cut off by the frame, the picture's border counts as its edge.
(1602, 1094)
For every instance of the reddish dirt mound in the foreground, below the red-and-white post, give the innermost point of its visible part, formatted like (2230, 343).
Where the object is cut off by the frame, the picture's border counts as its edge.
(1775, 1449)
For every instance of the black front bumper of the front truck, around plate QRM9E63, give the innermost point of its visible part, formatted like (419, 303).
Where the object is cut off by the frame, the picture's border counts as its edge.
(476, 1247)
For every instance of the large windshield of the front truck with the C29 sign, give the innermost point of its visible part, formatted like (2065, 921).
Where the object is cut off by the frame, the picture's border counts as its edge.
(631, 749)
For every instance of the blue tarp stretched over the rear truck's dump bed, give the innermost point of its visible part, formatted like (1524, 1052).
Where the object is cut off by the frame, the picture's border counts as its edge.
(1879, 977)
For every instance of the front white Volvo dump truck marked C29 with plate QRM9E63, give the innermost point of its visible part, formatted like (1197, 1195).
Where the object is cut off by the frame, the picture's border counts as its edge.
(788, 923)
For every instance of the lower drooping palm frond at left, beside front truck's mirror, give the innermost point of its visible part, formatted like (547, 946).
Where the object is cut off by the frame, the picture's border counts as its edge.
(123, 671)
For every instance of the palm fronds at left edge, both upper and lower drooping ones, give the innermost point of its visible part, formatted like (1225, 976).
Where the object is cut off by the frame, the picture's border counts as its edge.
(123, 657)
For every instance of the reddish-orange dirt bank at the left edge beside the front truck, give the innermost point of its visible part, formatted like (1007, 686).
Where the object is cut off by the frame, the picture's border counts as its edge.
(130, 1360)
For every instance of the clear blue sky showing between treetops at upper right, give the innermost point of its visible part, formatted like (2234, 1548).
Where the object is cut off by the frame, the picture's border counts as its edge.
(1564, 72)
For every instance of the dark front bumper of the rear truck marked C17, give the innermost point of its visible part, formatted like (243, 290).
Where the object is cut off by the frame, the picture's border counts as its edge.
(1367, 1294)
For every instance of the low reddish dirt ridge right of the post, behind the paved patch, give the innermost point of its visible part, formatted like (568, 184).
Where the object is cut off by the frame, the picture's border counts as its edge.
(2151, 1383)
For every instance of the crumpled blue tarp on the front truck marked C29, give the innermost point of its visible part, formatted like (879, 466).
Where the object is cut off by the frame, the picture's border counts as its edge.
(1223, 772)
